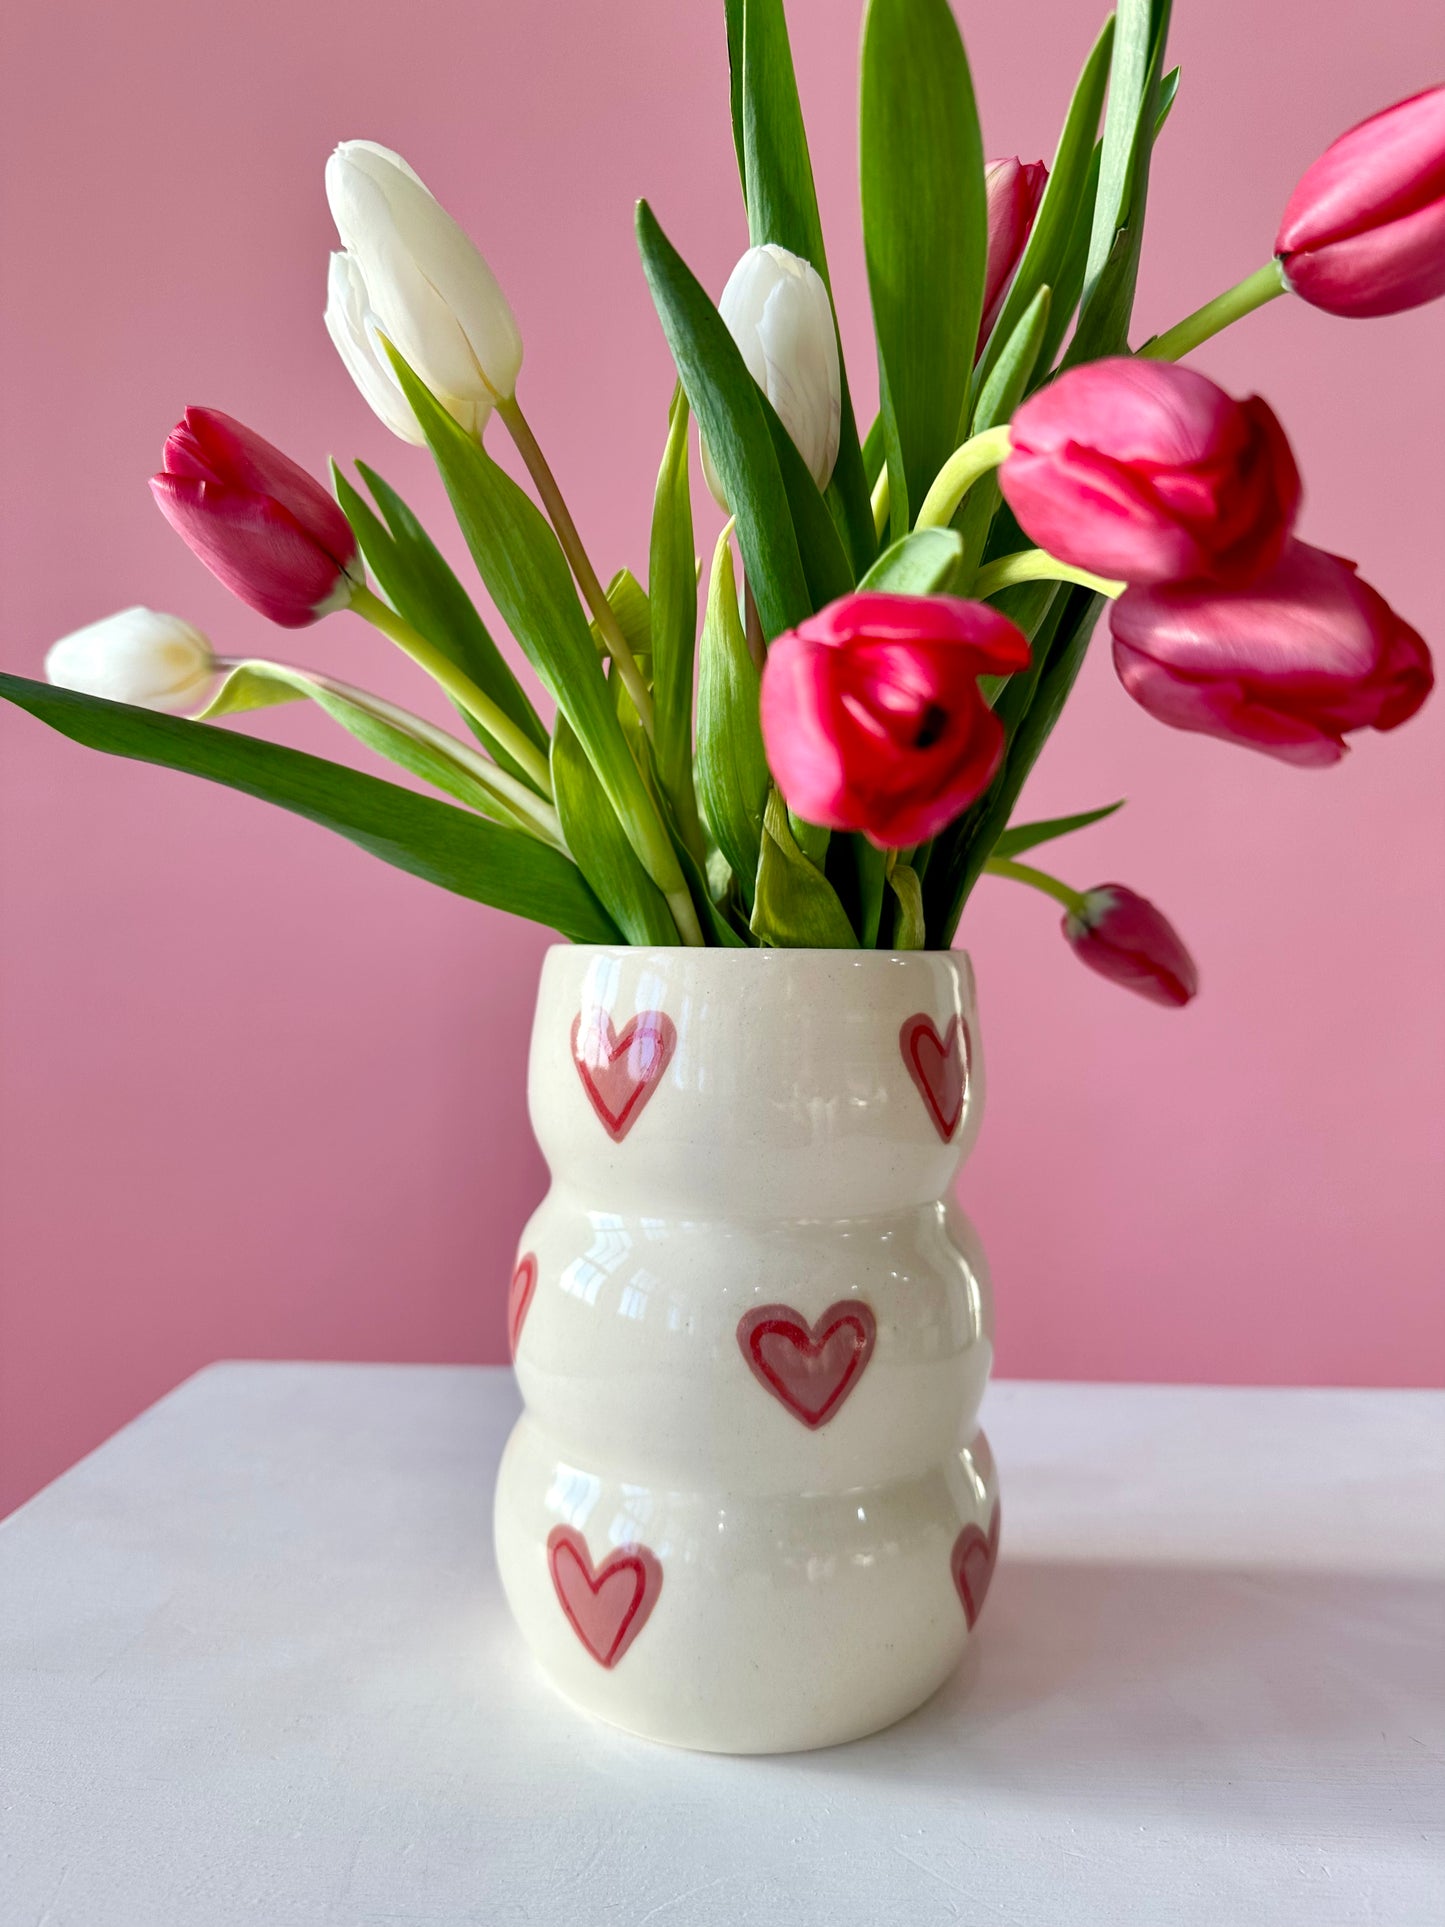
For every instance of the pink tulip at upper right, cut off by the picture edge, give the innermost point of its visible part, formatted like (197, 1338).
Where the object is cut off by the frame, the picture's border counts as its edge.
(1365, 230)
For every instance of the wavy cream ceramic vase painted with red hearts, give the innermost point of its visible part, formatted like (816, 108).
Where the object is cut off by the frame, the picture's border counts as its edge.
(749, 1506)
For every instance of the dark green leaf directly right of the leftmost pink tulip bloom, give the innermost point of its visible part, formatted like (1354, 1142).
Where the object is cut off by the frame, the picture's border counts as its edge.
(425, 593)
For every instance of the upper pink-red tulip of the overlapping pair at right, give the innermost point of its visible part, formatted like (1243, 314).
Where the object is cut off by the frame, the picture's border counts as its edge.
(1145, 471)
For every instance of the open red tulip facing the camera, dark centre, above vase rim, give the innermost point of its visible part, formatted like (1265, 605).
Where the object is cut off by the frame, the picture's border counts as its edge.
(874, 718)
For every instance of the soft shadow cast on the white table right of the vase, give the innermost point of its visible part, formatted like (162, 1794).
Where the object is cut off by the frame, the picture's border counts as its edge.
(1095, 1681)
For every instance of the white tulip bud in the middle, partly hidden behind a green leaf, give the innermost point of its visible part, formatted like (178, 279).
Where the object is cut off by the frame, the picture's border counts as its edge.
(781, 317)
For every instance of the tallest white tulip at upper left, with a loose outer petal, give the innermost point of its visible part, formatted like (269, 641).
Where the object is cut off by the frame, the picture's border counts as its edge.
(411, 275)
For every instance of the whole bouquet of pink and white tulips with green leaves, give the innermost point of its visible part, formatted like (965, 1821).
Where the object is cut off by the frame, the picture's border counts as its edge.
(833, 754)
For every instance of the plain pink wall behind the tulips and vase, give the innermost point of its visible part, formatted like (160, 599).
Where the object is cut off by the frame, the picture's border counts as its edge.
(263, 1095)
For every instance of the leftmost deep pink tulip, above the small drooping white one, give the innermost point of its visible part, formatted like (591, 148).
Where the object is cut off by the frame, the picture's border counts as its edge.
(255, 519)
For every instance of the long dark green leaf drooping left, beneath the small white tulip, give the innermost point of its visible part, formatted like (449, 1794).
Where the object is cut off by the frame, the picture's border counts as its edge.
(434, 841)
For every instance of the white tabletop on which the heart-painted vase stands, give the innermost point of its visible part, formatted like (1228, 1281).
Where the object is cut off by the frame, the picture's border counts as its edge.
(257, 1670)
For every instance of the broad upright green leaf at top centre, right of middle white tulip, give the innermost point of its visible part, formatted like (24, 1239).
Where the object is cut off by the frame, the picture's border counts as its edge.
(926, 234)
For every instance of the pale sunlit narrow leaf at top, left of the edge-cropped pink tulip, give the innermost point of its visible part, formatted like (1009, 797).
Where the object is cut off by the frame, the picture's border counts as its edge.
(1118, 232)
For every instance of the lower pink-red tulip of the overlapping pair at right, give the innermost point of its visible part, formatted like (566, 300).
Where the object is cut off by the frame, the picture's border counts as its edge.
(1286, 666)
